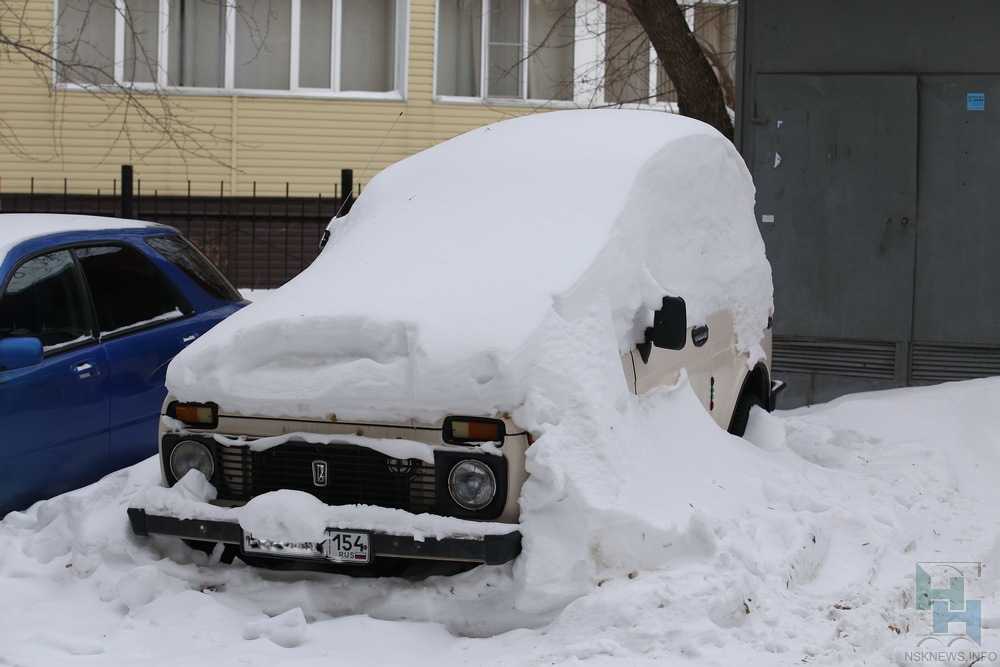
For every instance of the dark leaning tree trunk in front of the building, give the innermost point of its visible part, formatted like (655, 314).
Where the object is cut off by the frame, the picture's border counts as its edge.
(699, 94)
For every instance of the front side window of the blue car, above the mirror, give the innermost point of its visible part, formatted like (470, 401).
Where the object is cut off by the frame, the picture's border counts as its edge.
(44, 300)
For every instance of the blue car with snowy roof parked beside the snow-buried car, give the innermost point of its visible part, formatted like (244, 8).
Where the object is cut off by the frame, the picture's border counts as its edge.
(92, 310)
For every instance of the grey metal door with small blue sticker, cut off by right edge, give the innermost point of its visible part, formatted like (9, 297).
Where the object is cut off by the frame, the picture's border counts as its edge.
(957, 306)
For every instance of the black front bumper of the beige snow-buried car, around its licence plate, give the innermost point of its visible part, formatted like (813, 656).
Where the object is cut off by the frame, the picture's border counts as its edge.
(486, 549)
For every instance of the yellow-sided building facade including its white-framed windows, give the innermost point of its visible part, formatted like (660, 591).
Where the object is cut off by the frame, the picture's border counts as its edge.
(259, 93)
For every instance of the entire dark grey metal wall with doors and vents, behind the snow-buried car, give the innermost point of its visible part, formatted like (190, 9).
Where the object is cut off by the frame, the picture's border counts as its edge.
(878, 187)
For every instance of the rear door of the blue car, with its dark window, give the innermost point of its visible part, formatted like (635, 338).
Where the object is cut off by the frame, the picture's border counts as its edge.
(144, 322)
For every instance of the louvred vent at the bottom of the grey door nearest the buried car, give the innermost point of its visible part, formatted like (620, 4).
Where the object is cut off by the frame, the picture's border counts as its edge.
(857, 358)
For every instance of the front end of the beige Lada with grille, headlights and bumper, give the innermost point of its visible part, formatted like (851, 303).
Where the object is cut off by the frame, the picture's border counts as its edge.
(464, 473)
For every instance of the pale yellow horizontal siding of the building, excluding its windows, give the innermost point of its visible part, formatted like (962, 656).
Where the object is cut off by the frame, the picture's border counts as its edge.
(233, 140)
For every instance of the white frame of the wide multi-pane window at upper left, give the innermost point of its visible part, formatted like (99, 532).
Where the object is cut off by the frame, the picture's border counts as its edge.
(400, 52)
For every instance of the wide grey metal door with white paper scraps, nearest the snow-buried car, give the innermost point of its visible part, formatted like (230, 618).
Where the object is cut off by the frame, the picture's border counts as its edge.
(835, 163)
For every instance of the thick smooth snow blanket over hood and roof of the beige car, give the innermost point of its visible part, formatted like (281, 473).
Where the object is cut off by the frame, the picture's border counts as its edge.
(431, 291)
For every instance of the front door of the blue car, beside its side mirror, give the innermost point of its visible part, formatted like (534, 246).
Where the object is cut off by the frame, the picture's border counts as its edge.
(54, 414)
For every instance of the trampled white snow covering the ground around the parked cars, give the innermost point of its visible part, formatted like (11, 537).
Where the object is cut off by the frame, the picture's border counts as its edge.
(821, 571)
